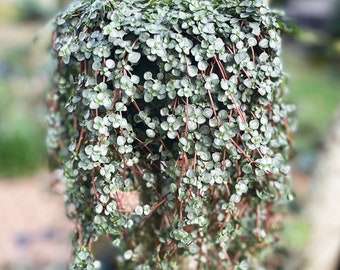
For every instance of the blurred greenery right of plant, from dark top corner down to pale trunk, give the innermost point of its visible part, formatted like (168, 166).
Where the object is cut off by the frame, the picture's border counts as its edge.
(312, 59)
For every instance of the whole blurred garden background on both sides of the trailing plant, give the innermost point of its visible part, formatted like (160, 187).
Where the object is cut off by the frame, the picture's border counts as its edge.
(35, 232)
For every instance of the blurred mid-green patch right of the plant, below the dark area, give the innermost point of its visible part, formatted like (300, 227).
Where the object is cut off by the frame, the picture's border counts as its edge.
(315, 90)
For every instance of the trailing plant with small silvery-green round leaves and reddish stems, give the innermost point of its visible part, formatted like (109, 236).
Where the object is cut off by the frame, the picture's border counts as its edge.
(179, 103)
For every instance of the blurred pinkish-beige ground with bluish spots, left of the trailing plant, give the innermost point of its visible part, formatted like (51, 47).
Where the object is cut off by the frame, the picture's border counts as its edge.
(35, 233)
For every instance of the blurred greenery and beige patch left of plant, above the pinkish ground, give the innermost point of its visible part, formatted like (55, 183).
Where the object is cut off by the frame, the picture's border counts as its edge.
(23, 80)
